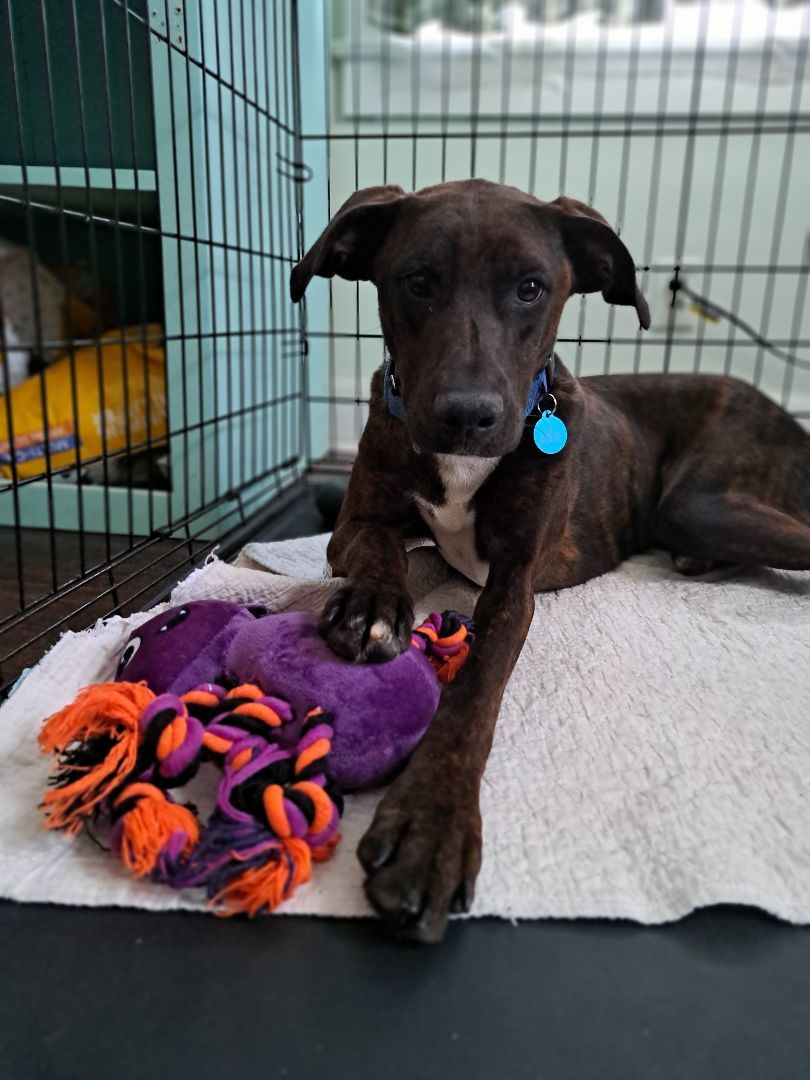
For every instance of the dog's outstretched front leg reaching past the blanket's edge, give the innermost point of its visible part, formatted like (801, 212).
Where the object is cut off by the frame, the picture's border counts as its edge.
(423, 853)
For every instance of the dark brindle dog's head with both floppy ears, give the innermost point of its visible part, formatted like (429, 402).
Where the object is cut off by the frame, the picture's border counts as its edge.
(472, 278)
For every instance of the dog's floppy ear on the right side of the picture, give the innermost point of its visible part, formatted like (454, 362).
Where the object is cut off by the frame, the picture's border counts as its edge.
(602, 264)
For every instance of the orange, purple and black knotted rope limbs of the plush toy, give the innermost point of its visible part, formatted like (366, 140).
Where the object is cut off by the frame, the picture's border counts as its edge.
(121, 751)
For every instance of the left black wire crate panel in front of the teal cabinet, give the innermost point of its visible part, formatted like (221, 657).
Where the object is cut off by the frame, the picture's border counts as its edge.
(148, 193)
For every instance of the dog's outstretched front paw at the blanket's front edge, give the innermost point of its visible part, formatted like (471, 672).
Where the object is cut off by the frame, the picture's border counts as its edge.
(423, 856)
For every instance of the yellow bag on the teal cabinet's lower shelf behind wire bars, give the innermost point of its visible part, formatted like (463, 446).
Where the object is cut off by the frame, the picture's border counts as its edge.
(124, 368)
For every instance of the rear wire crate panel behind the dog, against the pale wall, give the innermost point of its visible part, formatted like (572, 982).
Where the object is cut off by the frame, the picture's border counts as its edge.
(686, 125)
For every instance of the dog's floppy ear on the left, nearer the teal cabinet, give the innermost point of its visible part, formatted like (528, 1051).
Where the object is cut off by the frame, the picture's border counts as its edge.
(350, 241)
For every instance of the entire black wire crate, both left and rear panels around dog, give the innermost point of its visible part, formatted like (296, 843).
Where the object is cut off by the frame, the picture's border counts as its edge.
(166, 164)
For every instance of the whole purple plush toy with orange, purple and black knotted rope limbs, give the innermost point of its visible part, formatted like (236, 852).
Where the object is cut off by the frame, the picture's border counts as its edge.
(286, 724)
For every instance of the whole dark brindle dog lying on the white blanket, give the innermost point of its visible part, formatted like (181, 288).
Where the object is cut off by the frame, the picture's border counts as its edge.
(472, 278)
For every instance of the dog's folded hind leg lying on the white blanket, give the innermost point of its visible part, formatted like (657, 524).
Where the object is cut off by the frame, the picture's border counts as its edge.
(710, 530)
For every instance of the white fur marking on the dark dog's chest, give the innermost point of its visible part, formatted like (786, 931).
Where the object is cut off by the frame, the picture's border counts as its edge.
(453, 523)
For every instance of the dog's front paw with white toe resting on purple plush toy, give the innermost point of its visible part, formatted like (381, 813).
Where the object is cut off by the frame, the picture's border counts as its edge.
(368, 625)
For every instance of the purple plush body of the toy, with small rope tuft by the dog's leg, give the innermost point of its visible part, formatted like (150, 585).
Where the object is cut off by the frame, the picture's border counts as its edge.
(381, 711)
